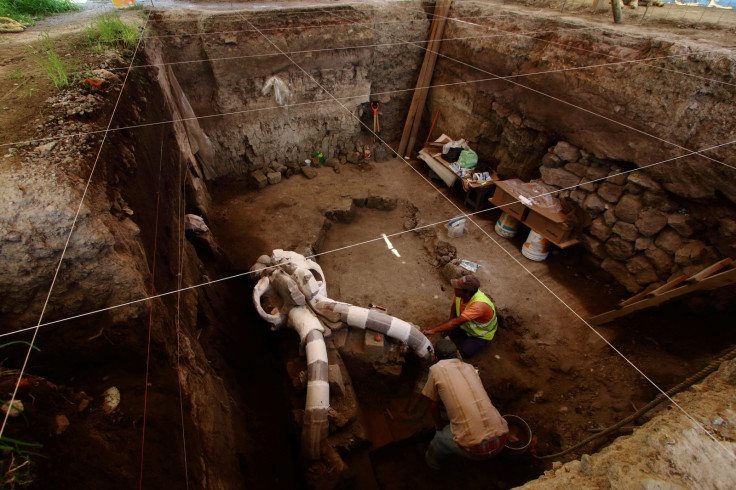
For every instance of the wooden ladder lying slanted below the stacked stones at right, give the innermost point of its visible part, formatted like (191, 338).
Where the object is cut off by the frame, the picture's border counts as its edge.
(720, 274)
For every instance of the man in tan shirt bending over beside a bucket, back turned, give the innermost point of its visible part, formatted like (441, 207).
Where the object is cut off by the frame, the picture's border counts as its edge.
(476, 430)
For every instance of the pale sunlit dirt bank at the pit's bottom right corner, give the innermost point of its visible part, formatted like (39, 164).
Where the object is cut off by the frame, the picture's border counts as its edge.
(669, 451)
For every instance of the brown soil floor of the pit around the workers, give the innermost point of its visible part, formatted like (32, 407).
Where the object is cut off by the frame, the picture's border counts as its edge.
(546, 365)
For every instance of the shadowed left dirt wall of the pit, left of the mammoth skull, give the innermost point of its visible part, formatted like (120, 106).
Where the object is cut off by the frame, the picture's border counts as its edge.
(129, 225)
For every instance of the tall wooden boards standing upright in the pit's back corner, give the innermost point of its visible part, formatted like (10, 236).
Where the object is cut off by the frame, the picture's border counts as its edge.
(425, 76)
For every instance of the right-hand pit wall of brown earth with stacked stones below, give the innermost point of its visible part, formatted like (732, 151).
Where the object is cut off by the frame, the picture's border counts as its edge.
(575, 109)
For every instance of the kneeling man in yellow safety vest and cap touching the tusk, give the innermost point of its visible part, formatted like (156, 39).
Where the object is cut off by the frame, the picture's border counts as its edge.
(472, 317)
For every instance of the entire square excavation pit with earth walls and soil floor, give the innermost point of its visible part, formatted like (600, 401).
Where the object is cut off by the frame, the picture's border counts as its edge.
(216, 121)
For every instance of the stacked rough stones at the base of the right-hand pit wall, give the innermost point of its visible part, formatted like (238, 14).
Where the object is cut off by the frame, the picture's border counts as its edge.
(640, 233)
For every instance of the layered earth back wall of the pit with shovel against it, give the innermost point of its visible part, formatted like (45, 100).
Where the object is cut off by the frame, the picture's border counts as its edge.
(260, 125)
